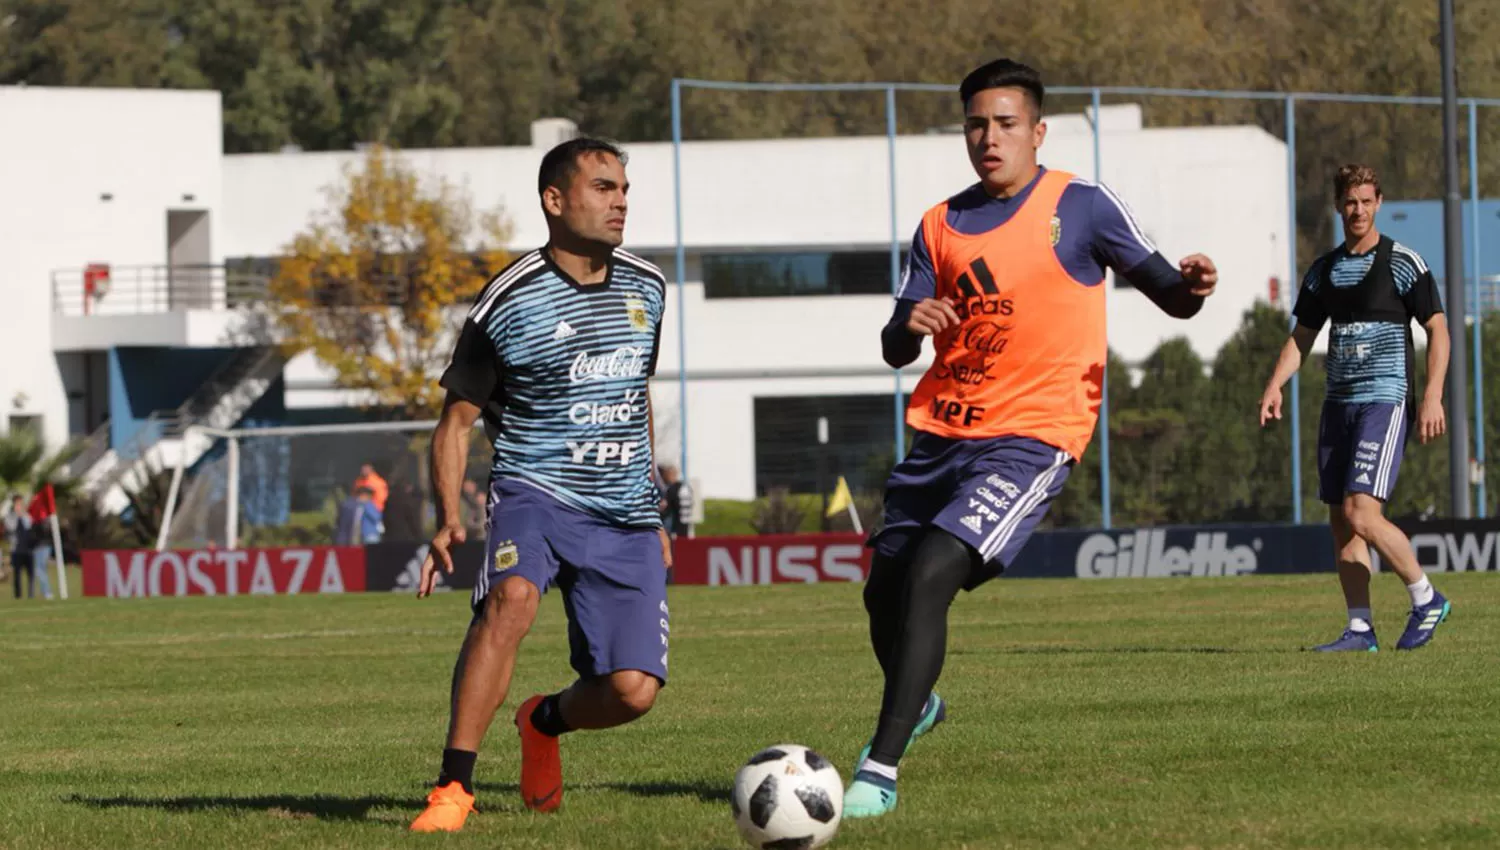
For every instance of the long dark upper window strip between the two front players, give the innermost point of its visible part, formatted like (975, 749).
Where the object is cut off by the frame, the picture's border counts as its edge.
(769, 275)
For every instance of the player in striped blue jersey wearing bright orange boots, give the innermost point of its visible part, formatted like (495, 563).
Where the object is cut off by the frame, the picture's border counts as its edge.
(556, 356)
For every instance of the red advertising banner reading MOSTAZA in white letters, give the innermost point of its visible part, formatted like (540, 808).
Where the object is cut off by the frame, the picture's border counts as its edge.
(136, 573)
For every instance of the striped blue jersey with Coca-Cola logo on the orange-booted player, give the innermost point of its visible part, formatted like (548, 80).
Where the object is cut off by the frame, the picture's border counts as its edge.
(560, 371)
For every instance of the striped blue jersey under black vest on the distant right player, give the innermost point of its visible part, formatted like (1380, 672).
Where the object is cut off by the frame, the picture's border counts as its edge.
(1367, 361)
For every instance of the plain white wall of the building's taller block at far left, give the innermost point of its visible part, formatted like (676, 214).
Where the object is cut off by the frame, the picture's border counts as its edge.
(89, 176)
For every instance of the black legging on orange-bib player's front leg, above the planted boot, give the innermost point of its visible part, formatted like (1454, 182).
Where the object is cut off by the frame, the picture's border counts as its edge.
(938, 572)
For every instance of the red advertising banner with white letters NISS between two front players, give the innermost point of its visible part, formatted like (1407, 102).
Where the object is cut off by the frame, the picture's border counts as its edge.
(775, 558)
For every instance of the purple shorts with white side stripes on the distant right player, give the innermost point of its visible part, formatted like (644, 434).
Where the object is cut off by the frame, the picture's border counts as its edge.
(1360, 449)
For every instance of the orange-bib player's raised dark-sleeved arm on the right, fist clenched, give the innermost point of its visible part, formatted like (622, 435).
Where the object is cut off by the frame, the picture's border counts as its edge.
(1121, 245)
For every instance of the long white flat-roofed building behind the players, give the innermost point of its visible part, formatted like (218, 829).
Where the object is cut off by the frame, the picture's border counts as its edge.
(137, 181)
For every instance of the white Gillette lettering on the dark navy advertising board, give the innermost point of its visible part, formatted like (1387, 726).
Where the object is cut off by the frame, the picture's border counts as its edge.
(1159, 554)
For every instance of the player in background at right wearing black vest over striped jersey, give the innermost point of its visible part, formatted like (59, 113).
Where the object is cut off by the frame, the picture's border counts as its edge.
(1370, 289)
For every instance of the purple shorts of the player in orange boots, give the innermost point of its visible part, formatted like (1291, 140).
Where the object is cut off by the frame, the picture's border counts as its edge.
(613, 578)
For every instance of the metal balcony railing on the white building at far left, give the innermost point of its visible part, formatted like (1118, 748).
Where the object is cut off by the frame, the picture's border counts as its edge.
(139, 290)
